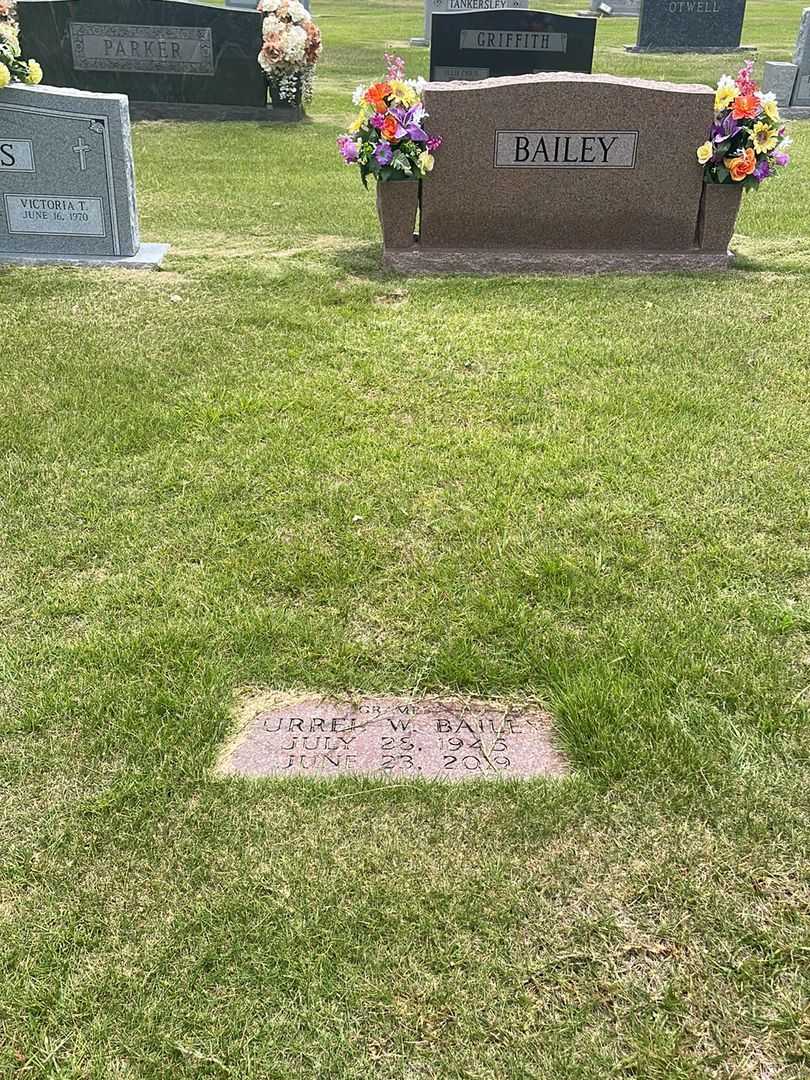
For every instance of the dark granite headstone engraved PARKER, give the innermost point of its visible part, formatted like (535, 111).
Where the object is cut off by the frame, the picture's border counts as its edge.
(173, 59)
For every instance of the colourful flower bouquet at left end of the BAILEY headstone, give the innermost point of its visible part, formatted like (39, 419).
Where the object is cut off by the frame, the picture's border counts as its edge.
(387, 138)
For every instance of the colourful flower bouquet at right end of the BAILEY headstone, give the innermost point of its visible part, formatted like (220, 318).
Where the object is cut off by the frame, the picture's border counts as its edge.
(748, 141)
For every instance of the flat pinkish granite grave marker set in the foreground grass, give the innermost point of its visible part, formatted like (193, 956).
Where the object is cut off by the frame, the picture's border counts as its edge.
(414, 739)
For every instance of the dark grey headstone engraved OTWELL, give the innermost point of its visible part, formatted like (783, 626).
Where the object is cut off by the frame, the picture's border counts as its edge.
(691, 26)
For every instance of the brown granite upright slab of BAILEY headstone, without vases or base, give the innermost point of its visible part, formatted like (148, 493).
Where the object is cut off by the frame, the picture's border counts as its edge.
(590, 170)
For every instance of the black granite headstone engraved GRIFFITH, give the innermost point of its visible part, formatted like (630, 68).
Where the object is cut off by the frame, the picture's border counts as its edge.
(487, 44)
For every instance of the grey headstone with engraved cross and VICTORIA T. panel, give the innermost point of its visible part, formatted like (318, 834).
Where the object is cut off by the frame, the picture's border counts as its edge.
(67, 181)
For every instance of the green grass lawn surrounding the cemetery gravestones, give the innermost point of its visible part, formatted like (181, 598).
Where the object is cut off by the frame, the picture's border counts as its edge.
(274, 465)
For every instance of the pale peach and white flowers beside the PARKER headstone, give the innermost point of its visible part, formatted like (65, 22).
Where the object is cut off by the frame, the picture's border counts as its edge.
(290, 49)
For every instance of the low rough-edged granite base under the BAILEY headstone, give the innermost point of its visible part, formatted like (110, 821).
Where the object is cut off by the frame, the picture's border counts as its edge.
(572, 264)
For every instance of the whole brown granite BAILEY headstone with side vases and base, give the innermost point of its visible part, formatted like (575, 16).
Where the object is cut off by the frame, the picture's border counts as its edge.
(566, 173)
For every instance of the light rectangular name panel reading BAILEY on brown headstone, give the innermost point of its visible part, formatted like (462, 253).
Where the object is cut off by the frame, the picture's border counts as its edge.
(538, 150)
